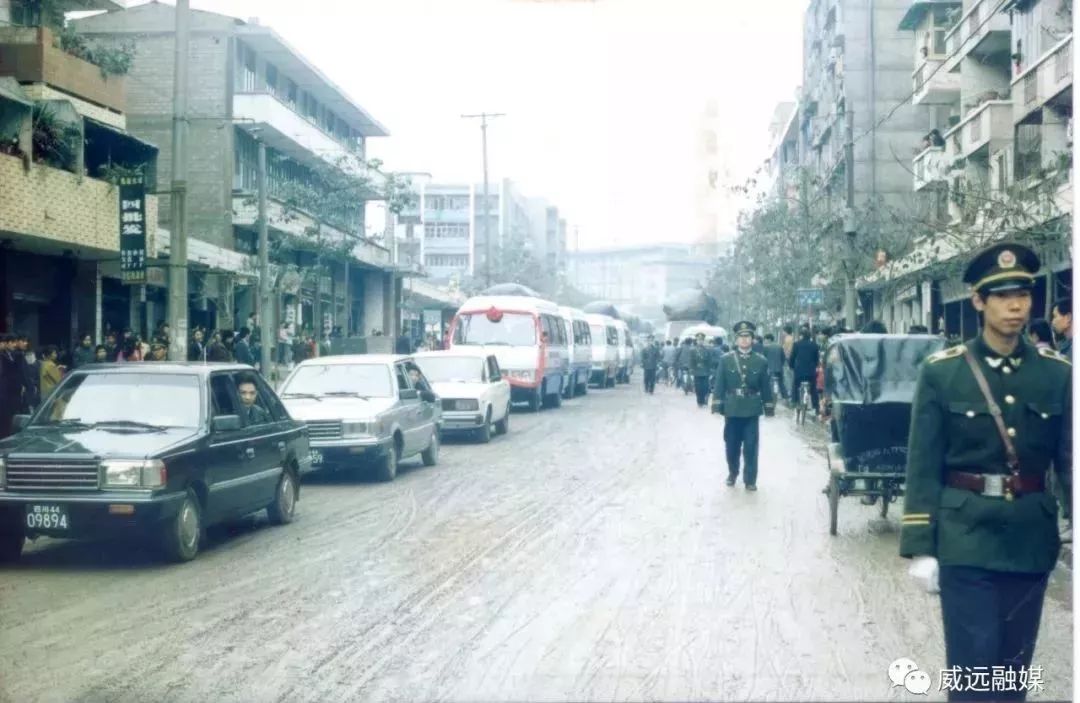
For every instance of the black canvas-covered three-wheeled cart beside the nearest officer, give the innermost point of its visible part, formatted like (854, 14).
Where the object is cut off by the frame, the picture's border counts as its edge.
(871, 382)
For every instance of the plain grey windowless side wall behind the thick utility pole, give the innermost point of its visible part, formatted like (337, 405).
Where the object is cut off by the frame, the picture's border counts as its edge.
(210, 106)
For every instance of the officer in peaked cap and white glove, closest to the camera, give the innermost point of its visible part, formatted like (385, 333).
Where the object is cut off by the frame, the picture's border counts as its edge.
(990, 420)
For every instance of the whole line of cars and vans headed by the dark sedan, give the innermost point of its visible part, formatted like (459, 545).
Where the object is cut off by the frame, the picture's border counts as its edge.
(160, 452)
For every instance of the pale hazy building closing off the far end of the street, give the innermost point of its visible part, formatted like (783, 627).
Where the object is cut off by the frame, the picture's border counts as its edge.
(642, 276)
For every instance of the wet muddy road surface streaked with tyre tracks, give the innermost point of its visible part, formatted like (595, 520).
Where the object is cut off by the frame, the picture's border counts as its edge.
(595, 553)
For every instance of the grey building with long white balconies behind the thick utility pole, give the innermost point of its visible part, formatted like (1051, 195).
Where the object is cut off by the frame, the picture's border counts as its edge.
(249, 86)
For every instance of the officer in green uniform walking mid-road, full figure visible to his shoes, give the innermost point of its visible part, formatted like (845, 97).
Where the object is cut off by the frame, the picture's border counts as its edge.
(742, 391)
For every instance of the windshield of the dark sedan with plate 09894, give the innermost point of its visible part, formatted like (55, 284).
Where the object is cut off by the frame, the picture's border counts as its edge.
(155, 400)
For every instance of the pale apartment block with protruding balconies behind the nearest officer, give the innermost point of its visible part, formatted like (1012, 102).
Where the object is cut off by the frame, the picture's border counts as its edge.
(997, 157)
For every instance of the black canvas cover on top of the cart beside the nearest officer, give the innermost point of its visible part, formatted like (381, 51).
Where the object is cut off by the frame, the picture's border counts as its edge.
(868, 370)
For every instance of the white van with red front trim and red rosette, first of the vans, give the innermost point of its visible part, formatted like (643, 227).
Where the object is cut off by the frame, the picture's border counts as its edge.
(529, 340)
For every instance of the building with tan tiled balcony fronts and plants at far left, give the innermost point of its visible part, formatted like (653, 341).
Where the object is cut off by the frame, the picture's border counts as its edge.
(63, 147)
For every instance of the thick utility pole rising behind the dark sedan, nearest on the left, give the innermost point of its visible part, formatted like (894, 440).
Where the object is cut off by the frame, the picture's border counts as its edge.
(178, 312)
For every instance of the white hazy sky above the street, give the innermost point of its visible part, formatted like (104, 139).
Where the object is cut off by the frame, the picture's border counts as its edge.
(602, 99)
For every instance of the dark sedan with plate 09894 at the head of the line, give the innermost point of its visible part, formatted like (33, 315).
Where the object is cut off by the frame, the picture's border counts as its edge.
(151, 450)
